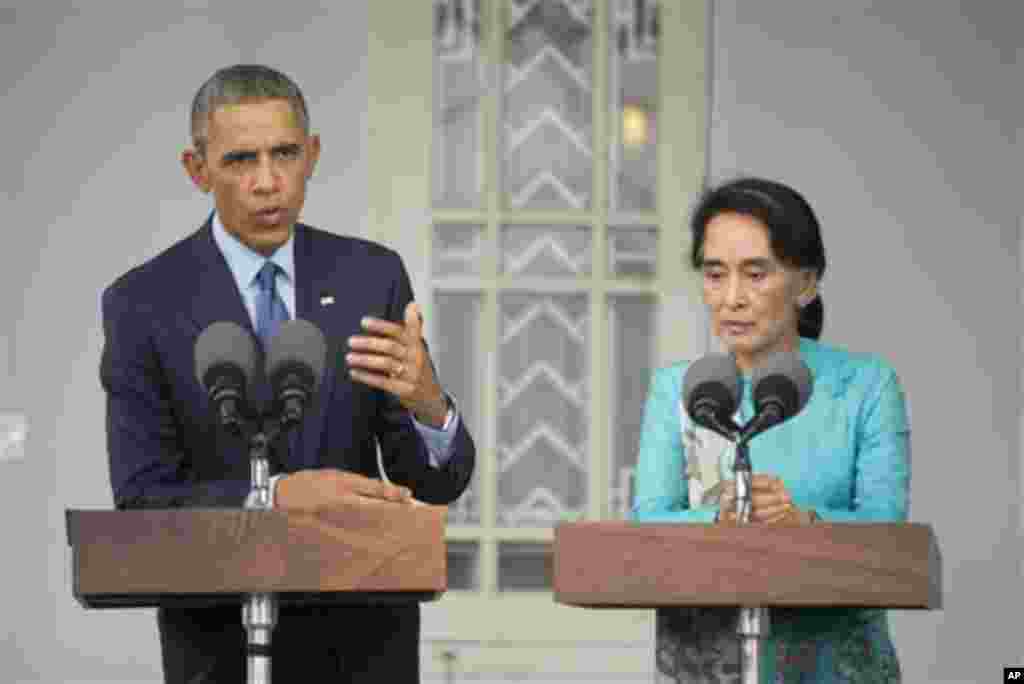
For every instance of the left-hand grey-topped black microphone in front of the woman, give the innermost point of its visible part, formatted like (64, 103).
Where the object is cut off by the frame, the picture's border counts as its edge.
(711, 394)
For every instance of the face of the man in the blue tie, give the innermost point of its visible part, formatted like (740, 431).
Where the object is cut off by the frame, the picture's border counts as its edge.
(257, 163)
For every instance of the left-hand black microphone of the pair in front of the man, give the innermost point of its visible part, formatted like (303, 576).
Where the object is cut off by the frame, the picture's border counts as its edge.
(226, 361)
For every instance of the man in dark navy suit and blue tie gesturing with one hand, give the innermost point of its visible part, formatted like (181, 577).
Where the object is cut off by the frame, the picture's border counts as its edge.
(253, 151)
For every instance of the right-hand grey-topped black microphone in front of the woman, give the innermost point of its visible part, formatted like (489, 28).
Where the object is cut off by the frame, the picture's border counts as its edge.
(782, 388)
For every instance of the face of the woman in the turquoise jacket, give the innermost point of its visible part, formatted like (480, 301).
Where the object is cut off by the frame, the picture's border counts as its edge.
(753, 298)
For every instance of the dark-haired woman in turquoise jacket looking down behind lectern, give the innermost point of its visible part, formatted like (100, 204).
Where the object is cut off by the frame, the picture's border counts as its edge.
(845, 458)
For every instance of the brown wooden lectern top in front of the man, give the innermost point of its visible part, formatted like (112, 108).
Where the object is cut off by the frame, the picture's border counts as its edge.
(370, 551)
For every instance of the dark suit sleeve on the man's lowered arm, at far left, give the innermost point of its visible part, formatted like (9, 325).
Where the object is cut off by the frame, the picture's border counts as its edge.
(149, 445)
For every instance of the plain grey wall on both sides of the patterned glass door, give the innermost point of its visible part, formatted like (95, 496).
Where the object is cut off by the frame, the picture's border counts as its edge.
(899, 120)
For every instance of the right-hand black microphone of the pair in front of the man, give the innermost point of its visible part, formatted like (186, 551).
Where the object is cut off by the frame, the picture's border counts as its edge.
(294, 365)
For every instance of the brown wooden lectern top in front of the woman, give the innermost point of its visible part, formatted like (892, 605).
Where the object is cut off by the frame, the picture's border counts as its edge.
(624, 565)
